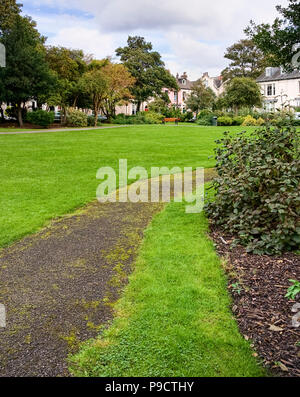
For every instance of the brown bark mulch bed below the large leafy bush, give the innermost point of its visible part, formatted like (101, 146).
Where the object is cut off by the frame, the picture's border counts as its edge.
(263, 313)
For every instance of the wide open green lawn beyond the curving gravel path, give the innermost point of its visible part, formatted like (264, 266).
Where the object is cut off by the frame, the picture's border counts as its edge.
(44, 176)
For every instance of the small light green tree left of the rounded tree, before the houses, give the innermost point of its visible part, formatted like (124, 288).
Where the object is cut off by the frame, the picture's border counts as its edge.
(201, 97)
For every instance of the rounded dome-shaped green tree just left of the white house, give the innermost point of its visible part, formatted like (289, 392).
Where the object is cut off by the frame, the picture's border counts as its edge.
(243, 92)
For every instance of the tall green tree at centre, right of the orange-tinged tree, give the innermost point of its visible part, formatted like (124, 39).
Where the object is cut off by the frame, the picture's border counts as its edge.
(147, 67)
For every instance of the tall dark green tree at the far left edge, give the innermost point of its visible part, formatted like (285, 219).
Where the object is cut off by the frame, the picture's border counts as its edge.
(27, 74)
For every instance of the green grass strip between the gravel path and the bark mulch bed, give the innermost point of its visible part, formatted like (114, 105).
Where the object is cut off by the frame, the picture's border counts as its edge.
(174, 317)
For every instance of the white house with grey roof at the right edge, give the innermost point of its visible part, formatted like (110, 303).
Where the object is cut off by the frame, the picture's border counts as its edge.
(279, 89)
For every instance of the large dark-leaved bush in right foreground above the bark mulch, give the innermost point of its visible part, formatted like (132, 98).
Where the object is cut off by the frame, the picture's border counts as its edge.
(257, 189)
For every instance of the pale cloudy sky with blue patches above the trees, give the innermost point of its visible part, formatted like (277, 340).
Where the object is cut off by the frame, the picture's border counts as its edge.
(191, 35)
